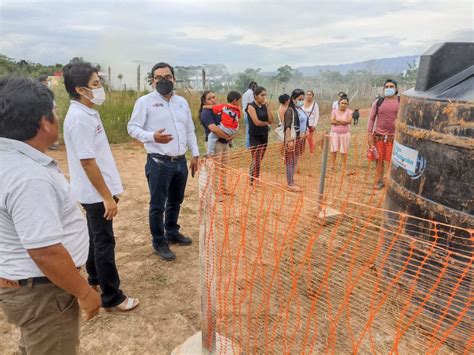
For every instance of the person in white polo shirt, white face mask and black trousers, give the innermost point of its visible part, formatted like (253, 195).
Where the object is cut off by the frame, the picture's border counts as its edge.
(95, 180)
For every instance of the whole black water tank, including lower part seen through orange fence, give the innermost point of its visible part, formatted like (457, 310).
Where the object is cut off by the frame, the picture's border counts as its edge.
(432, 177)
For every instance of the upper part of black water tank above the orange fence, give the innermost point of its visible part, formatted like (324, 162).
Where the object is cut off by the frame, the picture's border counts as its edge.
(432, 170)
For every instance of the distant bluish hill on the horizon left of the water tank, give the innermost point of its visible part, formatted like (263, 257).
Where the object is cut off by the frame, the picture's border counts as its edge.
(375, 66)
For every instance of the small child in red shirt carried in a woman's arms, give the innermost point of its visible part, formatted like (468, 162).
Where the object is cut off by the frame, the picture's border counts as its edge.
(230, 115)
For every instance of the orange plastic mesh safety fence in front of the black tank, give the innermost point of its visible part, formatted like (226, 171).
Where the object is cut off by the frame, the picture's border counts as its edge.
(288, 271)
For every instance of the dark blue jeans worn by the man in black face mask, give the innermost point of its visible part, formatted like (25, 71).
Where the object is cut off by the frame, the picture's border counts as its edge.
(167, 183)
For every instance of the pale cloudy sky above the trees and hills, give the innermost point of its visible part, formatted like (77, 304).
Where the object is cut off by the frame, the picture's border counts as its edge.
(238, 33)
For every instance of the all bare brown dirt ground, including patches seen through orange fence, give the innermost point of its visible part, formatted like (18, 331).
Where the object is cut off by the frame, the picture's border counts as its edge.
(170, 293)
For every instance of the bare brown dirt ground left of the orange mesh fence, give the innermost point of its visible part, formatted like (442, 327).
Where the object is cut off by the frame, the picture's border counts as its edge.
(168, 291)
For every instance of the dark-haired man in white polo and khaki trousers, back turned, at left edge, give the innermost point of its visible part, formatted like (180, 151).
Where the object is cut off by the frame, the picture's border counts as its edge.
(43, 235)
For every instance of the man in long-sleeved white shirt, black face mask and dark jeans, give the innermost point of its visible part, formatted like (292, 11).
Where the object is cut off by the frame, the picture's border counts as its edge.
(163, 122)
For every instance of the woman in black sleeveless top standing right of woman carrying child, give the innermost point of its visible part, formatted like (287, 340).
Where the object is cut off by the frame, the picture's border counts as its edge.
(260, 117)
